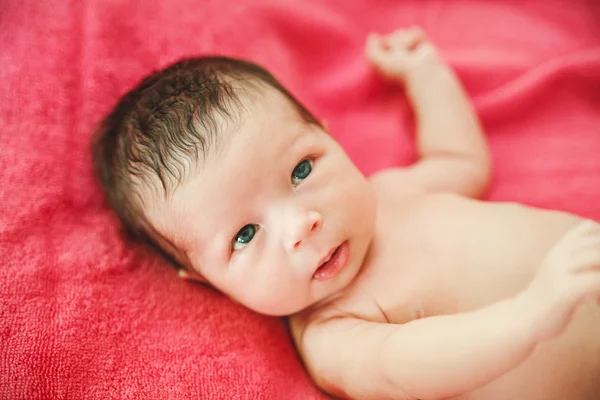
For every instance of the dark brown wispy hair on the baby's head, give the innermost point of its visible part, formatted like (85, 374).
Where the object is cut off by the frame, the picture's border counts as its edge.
(167, 123)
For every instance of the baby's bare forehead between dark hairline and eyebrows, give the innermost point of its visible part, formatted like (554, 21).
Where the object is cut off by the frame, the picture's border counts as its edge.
(219, 183)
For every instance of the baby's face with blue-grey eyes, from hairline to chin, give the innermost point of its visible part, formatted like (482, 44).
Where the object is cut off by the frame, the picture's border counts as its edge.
(267, 209)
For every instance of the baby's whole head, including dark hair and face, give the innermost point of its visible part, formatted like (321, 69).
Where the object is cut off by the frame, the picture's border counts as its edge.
(221, 170)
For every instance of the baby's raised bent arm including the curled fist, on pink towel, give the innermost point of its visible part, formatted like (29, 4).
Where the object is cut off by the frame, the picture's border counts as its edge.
(452, 148)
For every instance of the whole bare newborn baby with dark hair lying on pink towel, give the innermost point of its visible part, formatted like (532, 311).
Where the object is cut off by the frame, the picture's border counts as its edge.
(399, 286)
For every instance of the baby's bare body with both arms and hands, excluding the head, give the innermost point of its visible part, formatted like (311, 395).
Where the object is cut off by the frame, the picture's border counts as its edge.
(466, 269)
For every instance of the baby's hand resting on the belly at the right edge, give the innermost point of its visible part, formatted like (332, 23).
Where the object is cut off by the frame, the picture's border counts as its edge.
(569, 275)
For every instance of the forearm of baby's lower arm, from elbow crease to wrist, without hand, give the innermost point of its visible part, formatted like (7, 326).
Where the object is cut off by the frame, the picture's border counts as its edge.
(444, 356)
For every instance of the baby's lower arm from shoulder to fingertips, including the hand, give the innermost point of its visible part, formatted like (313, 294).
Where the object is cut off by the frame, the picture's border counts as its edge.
(444, 356)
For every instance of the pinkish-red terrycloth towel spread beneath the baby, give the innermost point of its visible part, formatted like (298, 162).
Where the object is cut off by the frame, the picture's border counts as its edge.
(85, 315)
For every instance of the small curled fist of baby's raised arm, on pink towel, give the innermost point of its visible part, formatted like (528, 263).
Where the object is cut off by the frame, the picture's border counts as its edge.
(401, 54)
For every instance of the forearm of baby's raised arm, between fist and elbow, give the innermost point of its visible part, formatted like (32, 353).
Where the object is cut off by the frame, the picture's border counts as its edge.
(447, 124)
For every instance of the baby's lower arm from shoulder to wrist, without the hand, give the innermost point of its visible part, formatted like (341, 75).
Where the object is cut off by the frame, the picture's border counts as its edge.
(430, 358)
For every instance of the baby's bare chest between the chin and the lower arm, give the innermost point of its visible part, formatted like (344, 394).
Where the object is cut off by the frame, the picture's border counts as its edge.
(452, 258)
